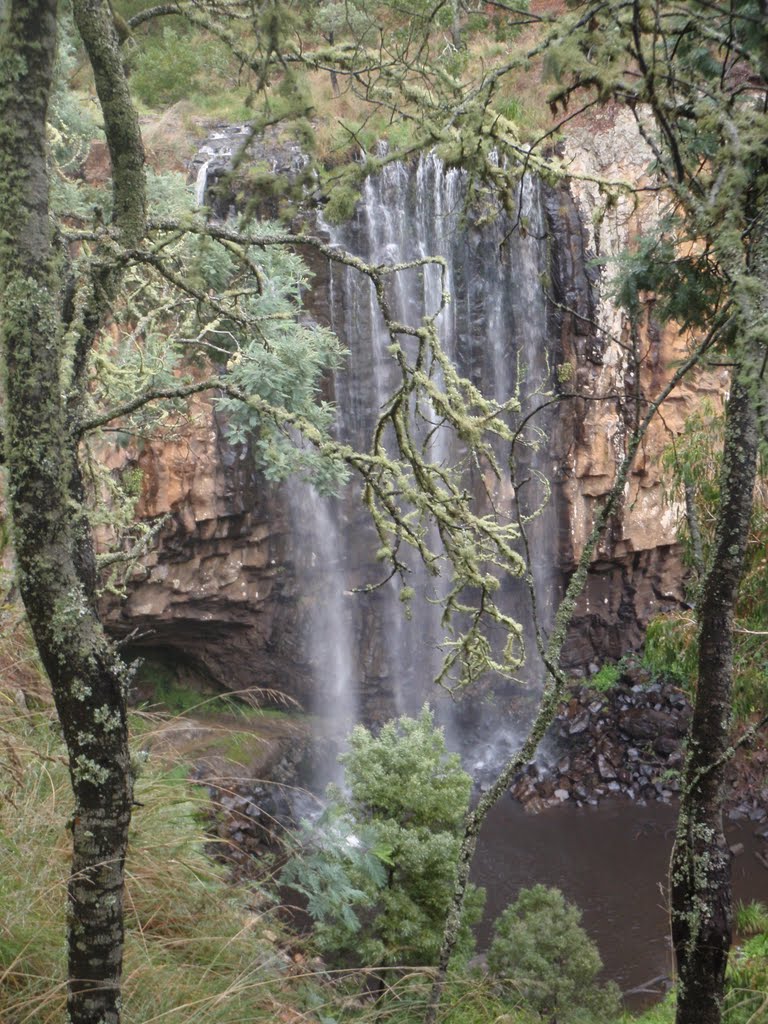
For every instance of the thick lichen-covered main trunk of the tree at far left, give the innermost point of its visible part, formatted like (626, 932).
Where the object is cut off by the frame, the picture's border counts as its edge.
(53, 543)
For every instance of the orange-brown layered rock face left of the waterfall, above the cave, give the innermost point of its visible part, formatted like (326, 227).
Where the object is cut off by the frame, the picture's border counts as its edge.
(215, 591)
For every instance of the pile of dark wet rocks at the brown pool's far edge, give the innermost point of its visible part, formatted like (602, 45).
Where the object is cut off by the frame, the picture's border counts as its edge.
(627, 741)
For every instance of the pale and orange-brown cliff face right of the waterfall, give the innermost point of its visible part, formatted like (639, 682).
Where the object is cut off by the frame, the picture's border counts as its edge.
(638, 571)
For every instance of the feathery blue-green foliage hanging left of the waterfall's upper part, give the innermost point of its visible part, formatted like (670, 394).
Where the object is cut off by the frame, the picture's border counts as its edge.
(259, 336)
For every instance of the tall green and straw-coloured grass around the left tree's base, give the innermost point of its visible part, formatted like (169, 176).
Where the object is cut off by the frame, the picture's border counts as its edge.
(198, 948)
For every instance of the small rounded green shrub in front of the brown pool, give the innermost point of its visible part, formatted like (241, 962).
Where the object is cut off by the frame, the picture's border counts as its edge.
(542, 957)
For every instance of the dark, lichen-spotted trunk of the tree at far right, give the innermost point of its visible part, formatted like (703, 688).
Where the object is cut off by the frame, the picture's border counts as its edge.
(701, 864)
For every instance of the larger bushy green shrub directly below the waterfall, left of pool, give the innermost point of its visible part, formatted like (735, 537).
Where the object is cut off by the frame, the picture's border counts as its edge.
(393, 849)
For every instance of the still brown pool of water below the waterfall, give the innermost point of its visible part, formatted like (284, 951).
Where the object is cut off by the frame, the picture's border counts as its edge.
(612, 862)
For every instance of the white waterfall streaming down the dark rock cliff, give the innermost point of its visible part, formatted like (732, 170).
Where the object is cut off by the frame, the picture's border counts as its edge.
(366, 658)
